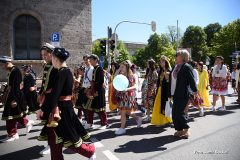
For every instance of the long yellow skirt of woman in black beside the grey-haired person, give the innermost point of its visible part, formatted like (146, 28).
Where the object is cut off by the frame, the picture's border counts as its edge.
(159, 119)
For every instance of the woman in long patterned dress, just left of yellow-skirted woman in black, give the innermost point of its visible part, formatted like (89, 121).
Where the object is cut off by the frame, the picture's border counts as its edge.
(151, 88)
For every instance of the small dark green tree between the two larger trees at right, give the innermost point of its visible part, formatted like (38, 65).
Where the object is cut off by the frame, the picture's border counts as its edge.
(211, 30)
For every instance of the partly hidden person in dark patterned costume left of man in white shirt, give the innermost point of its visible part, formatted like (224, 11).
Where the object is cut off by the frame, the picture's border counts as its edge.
(80, 98)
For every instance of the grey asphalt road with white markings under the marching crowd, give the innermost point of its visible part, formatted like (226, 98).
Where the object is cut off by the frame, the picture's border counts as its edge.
(216, 136)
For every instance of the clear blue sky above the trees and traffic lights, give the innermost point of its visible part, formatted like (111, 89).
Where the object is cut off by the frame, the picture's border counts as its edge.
(164, 12)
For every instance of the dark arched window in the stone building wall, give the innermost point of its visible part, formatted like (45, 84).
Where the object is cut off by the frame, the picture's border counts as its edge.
(27, 38)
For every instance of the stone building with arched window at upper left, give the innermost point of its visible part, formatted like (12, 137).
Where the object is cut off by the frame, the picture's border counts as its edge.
(25, 25)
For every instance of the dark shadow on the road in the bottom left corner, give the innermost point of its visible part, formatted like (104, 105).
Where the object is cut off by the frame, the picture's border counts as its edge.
(25, 154)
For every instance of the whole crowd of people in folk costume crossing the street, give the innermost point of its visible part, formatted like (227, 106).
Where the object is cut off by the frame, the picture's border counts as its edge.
(167, 93)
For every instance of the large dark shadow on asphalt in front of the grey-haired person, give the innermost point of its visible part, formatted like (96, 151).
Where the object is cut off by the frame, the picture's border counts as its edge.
(157, 144)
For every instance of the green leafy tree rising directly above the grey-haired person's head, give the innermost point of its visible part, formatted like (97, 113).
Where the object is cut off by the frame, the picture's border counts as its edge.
(195, 38)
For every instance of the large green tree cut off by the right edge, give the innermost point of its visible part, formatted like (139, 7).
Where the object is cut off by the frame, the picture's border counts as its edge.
(227, 40)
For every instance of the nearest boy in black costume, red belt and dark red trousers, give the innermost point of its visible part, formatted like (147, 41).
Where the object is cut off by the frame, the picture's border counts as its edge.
(69, 132)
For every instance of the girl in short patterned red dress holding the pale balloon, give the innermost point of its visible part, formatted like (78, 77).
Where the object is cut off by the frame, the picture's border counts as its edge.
(126, 99)
